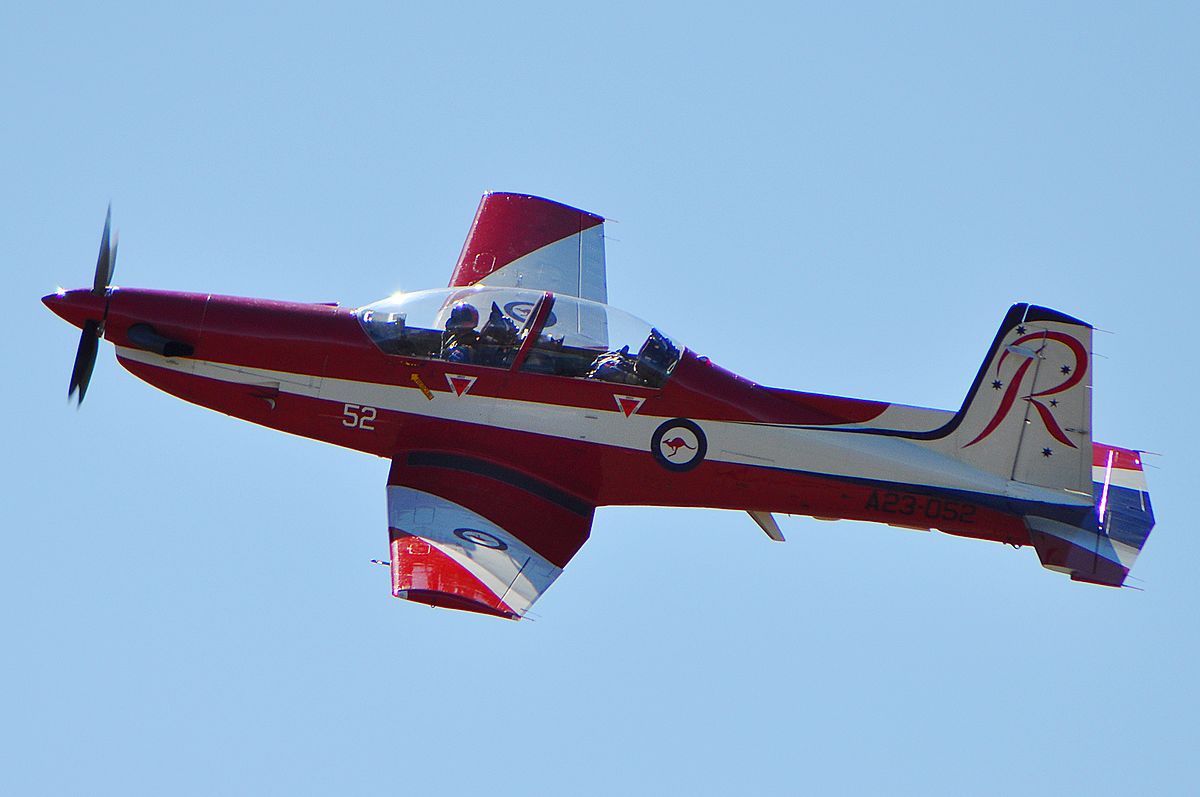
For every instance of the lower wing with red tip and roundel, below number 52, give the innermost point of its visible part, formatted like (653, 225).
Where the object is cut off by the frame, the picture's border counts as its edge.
(472, 535)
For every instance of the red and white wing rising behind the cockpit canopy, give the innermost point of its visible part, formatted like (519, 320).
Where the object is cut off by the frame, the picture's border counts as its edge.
(523, 242)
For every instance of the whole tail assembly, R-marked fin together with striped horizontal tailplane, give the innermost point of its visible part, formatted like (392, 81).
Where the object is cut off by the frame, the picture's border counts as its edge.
(1029, 418)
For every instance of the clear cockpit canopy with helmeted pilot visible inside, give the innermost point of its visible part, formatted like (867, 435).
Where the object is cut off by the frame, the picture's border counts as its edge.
(536, 332)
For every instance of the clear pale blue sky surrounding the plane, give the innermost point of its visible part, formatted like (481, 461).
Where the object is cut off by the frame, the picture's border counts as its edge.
(837, 201)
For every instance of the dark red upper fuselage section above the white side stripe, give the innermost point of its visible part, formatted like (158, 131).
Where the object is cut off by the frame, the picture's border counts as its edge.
(326, 341)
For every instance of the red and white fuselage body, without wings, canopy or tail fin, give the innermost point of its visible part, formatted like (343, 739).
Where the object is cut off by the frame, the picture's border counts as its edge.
(706, 438)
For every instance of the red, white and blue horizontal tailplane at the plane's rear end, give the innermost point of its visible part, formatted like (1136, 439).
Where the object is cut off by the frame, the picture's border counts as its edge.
(1102, 550)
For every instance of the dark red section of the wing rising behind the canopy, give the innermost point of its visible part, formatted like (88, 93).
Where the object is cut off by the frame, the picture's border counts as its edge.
(509, 226)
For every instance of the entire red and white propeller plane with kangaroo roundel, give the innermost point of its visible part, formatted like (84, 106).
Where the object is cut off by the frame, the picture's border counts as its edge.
(517, 402)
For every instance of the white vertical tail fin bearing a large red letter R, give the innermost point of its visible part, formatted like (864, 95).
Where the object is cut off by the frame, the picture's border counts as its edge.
(1029, 414)
